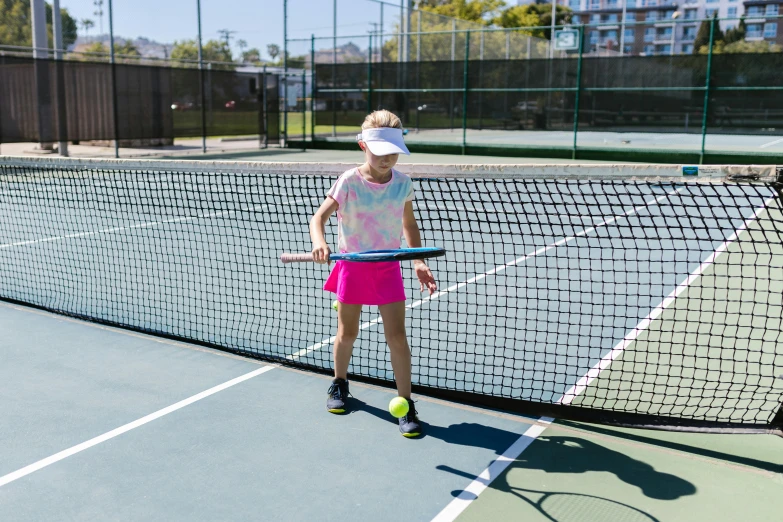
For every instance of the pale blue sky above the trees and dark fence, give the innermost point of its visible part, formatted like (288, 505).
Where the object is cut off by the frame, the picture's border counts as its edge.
(258, 22)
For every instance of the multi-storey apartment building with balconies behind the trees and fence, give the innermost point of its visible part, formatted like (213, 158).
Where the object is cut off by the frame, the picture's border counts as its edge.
(655, 31)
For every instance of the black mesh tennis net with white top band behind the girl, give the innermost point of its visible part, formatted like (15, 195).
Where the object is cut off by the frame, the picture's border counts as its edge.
(636, 295)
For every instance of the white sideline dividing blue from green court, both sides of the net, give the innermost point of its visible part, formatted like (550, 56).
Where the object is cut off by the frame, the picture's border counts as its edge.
(454, 508)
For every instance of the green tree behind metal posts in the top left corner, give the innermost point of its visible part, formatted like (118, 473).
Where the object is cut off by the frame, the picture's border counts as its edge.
(16, 29)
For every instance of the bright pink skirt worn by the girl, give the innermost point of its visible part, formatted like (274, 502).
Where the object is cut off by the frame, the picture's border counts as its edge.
(366, 283)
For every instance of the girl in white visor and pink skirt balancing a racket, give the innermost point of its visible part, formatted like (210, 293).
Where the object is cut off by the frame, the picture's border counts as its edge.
(374, 207)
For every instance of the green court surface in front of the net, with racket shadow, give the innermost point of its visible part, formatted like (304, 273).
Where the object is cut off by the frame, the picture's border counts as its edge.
(592, 474)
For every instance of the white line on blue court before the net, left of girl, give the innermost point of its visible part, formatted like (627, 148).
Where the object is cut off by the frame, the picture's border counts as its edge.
(23, 472)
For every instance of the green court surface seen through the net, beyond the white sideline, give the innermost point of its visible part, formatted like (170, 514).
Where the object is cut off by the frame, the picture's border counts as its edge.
(701, 360)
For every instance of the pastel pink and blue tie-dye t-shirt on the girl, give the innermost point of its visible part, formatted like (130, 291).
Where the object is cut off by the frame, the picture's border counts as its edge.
(369, 216)
